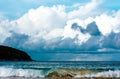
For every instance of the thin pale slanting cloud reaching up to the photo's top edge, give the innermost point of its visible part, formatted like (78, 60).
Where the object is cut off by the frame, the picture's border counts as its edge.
(85, 10)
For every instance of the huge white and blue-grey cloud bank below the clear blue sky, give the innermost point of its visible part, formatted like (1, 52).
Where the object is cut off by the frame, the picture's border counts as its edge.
(54, 30)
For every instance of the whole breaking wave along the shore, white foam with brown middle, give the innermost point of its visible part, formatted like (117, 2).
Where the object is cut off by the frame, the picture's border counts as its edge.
(57, 72)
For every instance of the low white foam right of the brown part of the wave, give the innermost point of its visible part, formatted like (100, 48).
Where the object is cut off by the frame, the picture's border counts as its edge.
(109, 73)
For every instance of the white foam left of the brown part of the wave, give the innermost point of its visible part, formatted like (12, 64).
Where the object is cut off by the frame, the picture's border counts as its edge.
(11, 72)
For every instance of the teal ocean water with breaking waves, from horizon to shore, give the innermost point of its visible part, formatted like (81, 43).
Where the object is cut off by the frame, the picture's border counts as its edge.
(41, 70)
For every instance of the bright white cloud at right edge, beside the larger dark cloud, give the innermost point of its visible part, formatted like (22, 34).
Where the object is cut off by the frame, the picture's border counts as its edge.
(107, 23)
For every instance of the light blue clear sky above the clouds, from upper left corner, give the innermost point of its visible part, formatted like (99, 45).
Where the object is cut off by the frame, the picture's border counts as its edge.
(13, 9)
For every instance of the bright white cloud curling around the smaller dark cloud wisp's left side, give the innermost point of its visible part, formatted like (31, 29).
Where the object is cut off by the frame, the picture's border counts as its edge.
(70, 32)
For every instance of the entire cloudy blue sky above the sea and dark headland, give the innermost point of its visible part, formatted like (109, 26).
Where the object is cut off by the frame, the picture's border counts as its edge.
(62, 30)
